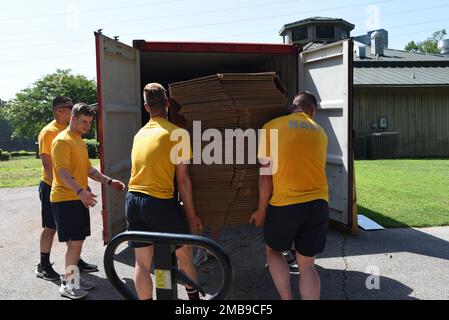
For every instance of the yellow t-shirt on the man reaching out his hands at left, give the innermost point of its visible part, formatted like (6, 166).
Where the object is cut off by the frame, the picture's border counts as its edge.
(69, 152)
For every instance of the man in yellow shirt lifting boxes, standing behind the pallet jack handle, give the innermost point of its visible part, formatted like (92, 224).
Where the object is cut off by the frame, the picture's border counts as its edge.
(151, 204)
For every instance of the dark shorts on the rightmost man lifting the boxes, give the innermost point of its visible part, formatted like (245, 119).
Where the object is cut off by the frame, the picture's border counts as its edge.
(304, 225)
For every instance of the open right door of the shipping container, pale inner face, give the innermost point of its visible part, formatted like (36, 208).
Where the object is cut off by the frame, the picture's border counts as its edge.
(327, 73)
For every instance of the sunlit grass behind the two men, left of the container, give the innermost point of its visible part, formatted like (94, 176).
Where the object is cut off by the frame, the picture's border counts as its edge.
(23, 172)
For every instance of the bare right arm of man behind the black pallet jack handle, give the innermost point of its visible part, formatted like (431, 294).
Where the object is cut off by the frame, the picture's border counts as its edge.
(185, 189)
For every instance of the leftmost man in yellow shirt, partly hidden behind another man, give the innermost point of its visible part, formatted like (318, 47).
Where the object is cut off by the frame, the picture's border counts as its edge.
(62, 107)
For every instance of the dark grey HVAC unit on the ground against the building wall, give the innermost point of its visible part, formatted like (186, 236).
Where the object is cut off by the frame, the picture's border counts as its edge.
(383, 145)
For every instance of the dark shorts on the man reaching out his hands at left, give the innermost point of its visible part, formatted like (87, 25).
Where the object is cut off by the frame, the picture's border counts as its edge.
(72, 220)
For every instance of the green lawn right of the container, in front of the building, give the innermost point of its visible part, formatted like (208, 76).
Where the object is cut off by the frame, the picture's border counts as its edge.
(404, 193)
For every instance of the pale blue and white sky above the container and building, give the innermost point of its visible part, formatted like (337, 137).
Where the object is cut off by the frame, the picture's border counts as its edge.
(38, 37)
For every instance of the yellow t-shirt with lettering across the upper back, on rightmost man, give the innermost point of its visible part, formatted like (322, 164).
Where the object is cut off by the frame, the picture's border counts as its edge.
(301, 170)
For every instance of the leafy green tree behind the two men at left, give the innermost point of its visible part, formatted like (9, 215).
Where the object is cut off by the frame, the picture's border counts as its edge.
(31, 109)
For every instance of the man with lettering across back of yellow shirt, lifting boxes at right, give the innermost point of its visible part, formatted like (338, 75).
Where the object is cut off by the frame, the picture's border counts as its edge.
(293, 201)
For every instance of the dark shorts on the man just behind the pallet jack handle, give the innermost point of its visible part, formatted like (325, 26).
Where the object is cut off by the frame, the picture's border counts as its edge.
(149, 214)
